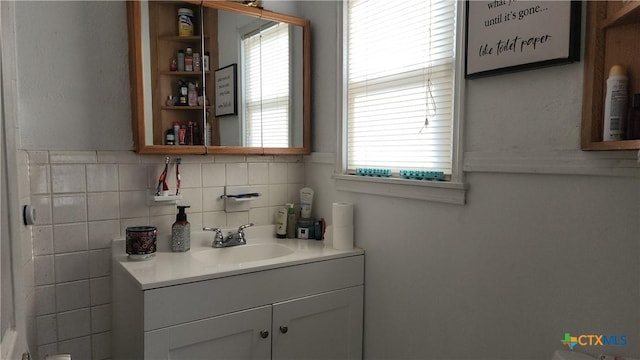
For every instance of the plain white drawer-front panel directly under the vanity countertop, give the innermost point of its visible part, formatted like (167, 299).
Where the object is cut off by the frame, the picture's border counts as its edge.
(188, 302)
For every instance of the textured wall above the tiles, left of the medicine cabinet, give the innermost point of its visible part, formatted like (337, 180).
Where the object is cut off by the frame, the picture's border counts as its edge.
(73, 70)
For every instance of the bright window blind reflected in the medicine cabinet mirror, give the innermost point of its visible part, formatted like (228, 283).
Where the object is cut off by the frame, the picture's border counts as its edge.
(266, 61)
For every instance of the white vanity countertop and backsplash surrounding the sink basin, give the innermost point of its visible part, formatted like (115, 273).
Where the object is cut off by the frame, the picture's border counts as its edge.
(168, 268)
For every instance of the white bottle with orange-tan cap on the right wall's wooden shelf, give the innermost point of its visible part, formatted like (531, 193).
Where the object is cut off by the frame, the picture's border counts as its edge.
(615, 104)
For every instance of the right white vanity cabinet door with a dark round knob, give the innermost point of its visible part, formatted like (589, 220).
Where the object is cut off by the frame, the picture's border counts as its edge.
(324, 326)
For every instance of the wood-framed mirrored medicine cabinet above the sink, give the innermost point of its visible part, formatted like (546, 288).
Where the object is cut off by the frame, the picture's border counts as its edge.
(252, 99)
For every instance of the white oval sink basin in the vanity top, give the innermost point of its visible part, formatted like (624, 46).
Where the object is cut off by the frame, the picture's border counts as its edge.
(241, 254)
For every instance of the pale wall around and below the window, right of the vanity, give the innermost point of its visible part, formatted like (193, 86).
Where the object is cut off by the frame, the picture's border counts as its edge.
(535, 253)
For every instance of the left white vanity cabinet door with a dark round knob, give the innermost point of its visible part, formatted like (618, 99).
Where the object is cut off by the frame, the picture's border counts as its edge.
(240, 335)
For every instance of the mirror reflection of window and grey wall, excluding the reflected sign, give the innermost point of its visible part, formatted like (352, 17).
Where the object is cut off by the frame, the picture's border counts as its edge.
(270, 88)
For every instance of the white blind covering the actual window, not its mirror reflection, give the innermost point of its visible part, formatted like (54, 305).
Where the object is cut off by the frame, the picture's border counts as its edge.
(400, 76)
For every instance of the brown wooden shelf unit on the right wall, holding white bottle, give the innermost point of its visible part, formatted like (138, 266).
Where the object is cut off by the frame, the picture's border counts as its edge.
(612, 33)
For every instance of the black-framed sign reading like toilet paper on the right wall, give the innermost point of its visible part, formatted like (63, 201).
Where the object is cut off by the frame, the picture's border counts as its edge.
(509, 35)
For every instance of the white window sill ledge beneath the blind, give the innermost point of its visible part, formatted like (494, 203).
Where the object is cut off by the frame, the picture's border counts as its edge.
(438, 191)
